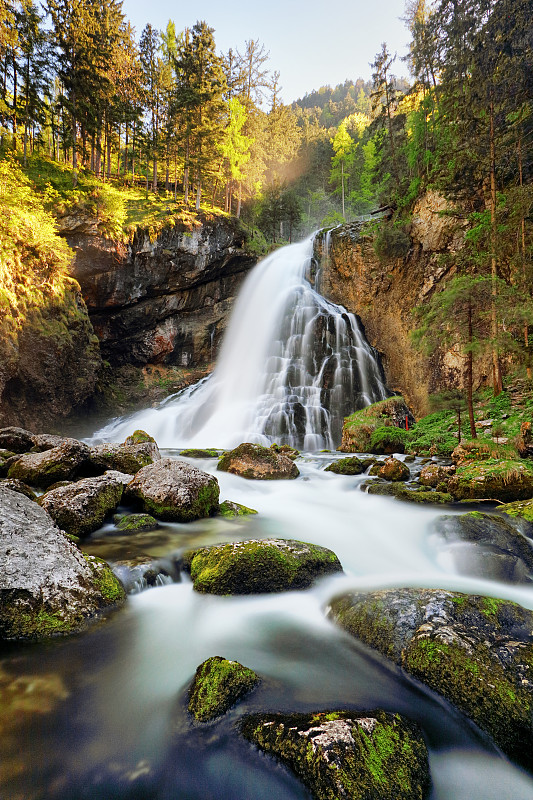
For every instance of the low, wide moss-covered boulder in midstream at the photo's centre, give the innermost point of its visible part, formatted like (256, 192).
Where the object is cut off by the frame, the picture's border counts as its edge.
(258, 566)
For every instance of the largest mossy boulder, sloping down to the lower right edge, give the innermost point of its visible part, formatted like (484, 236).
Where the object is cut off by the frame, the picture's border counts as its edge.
(477, 652)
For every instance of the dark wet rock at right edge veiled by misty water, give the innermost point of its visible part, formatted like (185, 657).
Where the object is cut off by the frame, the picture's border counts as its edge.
(486, 546)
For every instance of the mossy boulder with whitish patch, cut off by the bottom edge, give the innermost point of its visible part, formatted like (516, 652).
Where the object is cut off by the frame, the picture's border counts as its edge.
(341, 754)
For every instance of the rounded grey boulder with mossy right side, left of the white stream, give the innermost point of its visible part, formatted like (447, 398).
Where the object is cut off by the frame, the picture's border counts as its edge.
(175, 491)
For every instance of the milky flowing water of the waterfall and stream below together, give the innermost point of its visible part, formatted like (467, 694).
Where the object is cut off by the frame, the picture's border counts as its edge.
(103, 715)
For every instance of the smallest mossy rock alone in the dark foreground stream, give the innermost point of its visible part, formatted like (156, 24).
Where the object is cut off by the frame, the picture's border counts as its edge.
(217, 685)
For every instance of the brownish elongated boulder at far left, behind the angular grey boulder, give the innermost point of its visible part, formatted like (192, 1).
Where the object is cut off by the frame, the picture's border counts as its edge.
(58, 464)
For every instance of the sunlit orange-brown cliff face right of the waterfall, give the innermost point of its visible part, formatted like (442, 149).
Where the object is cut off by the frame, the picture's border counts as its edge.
(383, 294)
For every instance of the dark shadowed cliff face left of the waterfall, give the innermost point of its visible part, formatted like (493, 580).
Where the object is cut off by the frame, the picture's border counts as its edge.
(165, 301)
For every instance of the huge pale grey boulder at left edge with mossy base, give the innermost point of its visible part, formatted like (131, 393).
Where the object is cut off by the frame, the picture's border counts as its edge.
(48, 586)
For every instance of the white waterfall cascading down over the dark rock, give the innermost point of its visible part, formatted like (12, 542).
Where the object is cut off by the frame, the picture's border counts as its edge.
(291, 366)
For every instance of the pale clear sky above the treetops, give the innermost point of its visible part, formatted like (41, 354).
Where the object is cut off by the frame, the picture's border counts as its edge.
(311, 42)
